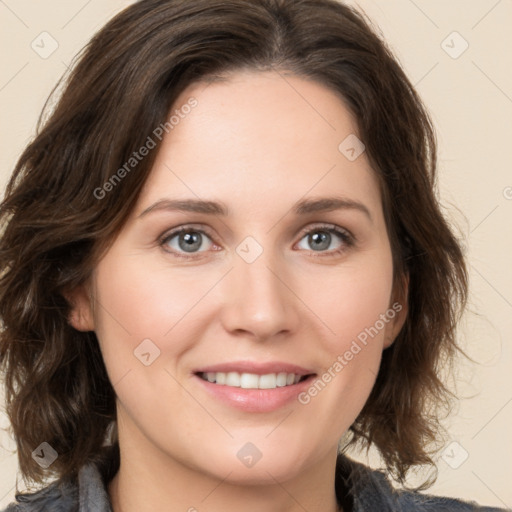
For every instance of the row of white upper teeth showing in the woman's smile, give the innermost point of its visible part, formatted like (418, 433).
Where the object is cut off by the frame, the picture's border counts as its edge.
(252, 380)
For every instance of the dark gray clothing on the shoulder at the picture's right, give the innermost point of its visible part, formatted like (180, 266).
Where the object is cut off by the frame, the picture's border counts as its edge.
(371, 490)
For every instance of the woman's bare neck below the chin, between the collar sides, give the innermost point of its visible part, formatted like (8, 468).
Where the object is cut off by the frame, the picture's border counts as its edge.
(150, 480)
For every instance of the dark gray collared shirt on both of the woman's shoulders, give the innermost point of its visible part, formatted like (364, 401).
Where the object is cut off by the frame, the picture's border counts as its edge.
(367, 490)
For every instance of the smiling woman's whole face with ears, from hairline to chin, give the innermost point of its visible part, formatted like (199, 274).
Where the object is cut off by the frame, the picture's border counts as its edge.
(279, 282)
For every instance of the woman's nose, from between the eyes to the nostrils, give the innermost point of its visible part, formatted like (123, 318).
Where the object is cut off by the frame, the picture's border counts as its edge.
(258, 299)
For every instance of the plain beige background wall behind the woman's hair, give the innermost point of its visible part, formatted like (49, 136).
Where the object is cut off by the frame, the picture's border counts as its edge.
(470, 98)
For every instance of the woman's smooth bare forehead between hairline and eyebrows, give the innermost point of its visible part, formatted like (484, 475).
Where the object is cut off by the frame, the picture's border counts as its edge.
(259, 139)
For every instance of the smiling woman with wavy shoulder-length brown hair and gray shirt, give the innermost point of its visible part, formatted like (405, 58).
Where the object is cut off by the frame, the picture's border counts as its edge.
(223, 262)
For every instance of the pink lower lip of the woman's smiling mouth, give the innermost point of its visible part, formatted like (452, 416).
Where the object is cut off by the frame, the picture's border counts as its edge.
(255, 400)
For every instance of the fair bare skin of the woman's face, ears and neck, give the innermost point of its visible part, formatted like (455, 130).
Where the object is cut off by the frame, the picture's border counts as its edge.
(255, 144)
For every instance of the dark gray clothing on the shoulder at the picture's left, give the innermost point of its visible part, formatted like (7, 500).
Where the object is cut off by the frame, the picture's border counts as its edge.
(88, 493)
